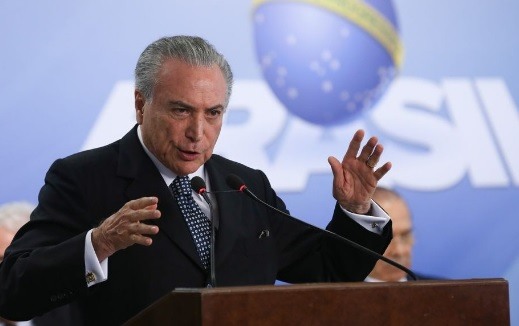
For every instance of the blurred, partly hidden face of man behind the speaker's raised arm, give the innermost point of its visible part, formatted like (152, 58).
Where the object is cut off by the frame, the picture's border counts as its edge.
(400, 248)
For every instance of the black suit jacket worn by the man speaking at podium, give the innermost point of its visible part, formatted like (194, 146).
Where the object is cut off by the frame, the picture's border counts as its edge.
(44, 266)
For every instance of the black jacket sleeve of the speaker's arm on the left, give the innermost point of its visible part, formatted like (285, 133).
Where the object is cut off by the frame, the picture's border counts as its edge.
(44, 265)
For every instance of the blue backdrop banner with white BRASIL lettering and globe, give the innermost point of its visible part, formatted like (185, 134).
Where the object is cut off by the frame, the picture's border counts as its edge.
(434, 80)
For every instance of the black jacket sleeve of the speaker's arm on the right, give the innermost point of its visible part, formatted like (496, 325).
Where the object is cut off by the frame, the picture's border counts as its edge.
(309, 254)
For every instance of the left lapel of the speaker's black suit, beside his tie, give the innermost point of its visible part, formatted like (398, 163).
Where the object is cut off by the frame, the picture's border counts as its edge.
(135, 164)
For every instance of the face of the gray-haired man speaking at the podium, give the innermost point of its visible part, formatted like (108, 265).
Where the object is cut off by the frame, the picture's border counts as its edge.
(182, 121)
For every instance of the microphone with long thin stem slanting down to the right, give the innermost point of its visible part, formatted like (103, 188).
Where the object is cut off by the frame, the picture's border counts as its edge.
(237, 183)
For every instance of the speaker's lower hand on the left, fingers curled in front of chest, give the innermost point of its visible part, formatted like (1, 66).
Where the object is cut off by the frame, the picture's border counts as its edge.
(124, 228)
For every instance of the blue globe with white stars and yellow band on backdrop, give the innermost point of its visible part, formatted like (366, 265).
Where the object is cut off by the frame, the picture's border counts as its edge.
(327, 61)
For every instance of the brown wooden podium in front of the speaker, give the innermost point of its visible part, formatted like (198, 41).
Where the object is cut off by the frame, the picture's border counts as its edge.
(460, 302)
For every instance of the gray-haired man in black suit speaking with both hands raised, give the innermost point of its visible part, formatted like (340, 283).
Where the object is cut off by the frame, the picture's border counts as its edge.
(115, 233)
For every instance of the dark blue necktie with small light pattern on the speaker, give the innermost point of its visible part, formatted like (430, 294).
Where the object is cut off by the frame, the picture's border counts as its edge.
(197, 221)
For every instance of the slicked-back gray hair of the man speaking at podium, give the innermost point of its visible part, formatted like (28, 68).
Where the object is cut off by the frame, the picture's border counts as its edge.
(190, 49)
